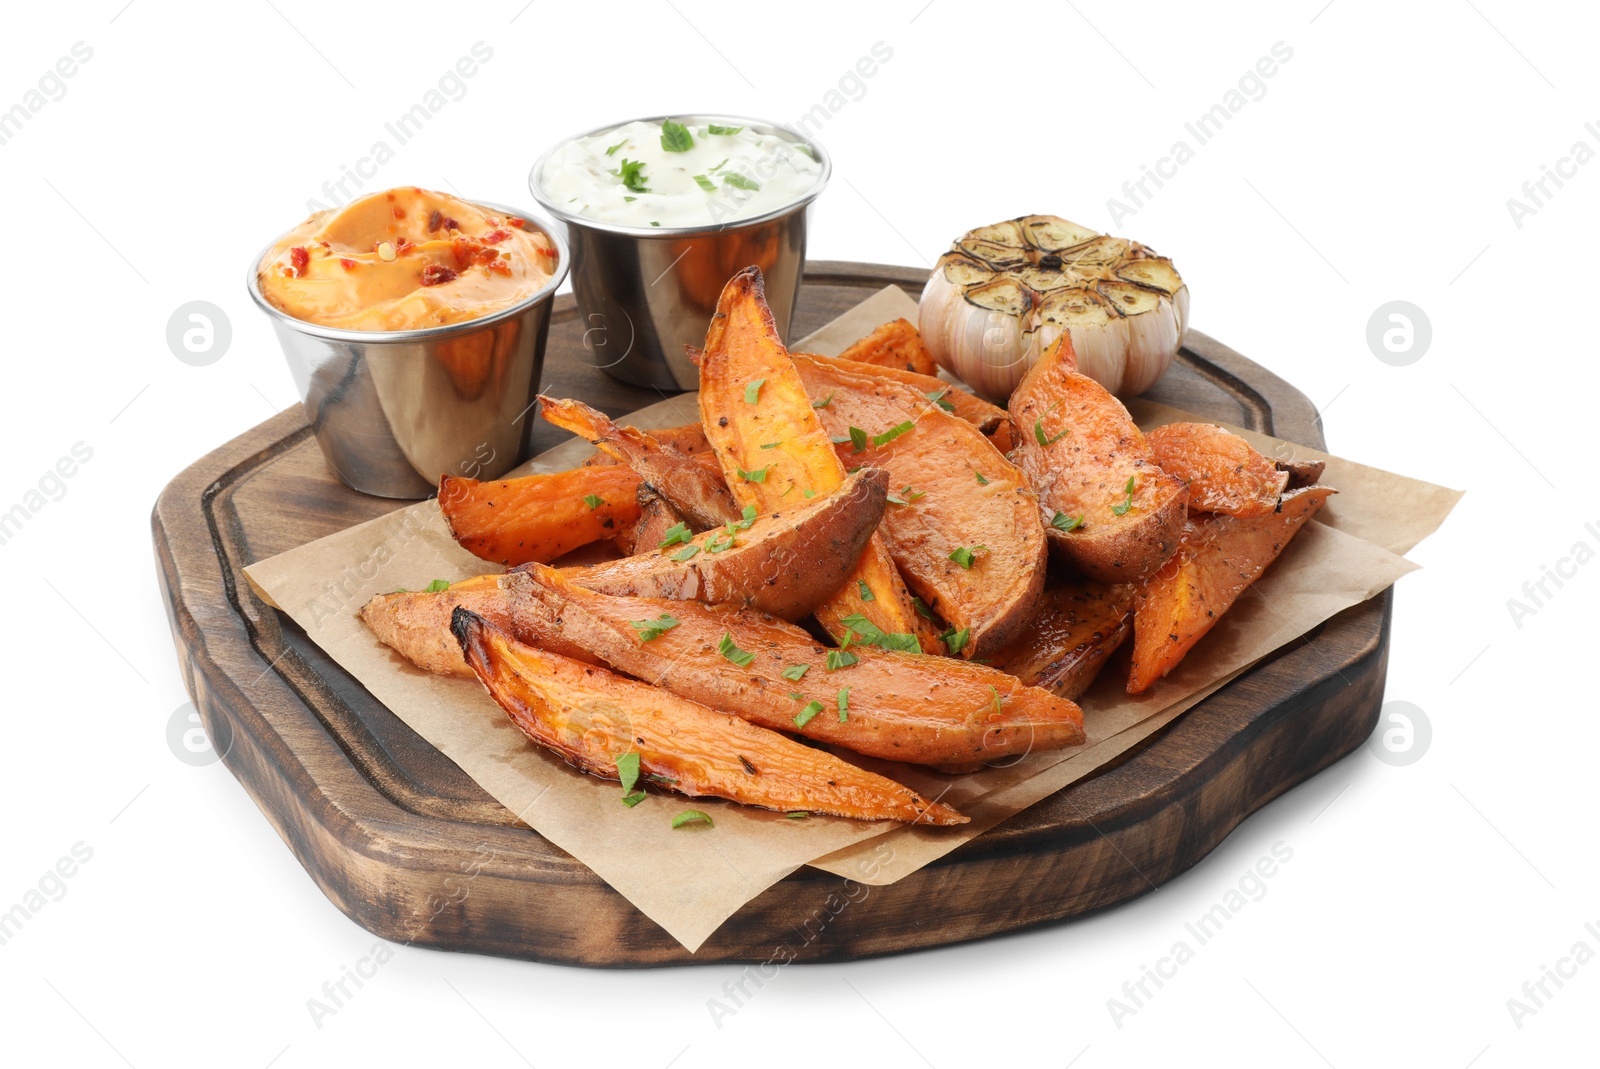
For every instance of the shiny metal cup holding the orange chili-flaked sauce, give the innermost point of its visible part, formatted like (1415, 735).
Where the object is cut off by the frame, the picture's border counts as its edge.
(396, 410)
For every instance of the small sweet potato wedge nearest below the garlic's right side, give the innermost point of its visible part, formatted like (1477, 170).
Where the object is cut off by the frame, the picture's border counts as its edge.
(1223, 471)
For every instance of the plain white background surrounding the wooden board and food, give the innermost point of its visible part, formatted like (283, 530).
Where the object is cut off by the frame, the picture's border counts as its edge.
(1377, 167)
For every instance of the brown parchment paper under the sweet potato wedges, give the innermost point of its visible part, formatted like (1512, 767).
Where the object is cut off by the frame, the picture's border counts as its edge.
(694, 879)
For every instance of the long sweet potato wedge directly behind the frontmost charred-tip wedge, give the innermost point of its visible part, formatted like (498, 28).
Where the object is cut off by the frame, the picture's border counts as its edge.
(902, 707)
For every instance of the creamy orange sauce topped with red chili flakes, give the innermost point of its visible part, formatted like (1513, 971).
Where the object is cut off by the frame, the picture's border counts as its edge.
(406, 260)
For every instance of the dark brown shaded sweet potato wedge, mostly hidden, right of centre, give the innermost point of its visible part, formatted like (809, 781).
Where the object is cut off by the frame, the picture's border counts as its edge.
(1066, 644)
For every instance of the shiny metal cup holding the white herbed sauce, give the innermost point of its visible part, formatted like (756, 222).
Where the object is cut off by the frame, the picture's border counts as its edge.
(647, 292)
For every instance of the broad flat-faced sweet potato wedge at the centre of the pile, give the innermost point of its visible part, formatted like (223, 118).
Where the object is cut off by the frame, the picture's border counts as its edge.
(942, 506)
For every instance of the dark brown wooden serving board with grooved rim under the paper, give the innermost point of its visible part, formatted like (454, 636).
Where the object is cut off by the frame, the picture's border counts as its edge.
(391, 830)
